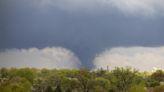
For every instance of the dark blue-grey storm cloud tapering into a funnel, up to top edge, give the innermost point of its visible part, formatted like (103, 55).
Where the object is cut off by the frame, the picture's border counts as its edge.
(86, 27)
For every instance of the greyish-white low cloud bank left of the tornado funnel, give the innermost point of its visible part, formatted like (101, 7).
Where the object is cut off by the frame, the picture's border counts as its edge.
(54, 57)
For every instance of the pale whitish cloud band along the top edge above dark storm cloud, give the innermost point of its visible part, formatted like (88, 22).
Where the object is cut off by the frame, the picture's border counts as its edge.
(141, 7)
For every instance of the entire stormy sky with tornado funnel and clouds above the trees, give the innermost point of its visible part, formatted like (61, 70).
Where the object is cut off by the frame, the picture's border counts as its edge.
(82, 33)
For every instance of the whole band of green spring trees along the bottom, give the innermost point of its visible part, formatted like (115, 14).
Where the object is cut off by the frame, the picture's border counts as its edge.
(80, 80)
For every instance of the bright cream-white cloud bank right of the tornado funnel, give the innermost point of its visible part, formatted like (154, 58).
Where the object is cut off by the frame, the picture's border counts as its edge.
(141, 58)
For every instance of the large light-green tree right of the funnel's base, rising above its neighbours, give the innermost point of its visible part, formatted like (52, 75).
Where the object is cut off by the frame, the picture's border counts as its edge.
(121, 79)
